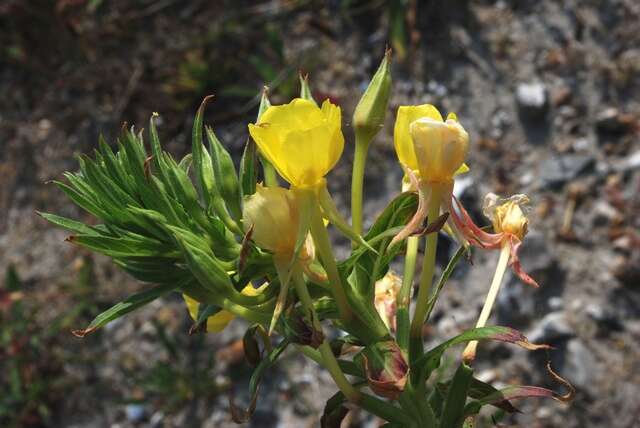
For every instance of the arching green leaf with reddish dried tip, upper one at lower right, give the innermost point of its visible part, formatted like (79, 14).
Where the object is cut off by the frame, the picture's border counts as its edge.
(431, 359)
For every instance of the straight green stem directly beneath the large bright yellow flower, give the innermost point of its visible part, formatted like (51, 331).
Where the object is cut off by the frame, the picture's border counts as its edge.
(323, 245)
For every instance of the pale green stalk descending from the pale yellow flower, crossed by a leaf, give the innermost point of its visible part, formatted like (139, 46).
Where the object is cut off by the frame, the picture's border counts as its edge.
(329, 360)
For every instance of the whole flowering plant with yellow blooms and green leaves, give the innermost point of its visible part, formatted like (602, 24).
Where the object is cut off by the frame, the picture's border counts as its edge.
(236, 244)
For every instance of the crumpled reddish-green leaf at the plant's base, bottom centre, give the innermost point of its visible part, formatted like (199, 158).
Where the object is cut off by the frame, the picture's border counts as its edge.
(386, 368)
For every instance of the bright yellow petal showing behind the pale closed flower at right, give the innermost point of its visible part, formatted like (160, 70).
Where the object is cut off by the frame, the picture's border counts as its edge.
(401, 136)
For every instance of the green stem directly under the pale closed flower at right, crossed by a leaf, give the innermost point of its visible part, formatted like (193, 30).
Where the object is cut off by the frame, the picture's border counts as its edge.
(426, 277)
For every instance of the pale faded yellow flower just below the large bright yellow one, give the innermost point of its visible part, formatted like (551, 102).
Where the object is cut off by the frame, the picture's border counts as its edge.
(274, 215)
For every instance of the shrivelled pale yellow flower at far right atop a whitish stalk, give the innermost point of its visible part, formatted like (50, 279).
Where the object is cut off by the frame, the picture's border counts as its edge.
(507, 215)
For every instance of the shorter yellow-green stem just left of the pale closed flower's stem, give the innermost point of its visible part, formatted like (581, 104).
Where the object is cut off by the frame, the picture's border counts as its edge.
(404, 294)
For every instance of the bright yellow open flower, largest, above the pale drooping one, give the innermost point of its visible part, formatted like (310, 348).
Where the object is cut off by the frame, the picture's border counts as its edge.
(301, 140)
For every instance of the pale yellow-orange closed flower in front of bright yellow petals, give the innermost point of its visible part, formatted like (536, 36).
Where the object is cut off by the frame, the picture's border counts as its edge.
(440, 147)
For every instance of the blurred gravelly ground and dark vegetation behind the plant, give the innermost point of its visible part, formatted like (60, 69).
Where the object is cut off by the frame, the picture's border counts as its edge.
(549, 92)
